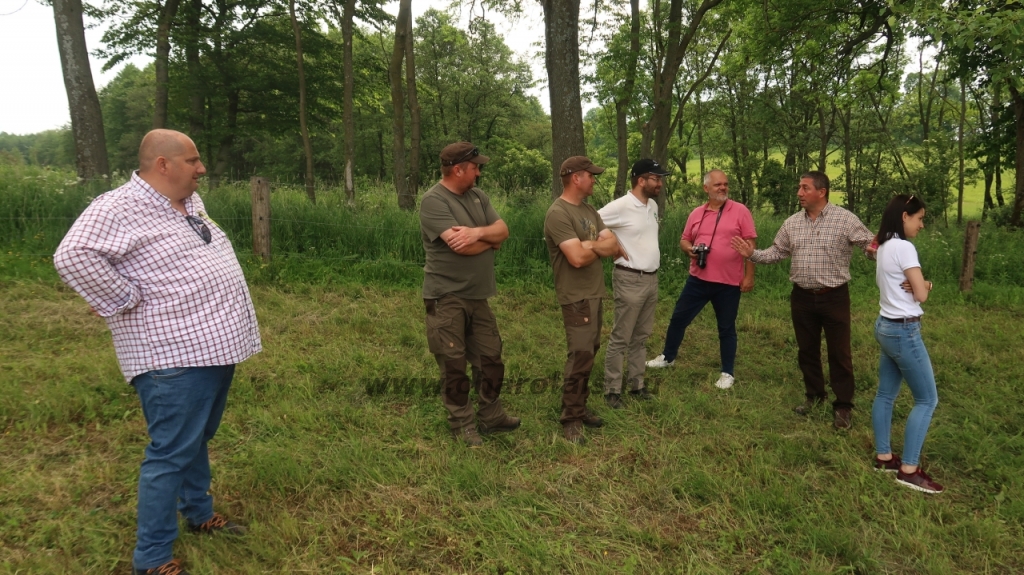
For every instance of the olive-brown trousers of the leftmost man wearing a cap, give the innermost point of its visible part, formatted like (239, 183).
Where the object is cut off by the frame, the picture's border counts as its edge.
(461, 332)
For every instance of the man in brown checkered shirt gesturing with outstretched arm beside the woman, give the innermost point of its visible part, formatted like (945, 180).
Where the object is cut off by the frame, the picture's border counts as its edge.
(821, 241)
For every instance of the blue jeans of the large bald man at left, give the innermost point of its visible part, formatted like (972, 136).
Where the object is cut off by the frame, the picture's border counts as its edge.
(183, 409)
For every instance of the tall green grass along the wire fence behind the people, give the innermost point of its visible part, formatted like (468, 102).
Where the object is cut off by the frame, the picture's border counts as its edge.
(376, 242)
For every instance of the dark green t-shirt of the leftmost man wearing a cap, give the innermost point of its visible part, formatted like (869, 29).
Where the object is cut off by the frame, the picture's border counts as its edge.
(471, 278)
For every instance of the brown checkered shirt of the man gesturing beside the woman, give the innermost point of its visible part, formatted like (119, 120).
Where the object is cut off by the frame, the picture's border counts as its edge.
(821, 248)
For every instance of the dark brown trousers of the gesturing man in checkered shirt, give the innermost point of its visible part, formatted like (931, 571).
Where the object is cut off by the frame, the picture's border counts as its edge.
(829, 313)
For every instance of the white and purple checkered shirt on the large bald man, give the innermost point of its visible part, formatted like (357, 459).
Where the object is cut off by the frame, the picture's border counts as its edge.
(170, 299)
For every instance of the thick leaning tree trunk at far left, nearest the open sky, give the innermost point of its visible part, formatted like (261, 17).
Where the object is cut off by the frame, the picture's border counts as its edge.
(87, 117)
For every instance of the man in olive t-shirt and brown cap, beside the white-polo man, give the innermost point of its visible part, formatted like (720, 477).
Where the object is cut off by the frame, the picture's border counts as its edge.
(577, 241)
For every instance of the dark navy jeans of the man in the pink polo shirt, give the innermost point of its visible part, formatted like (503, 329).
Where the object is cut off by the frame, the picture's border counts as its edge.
(697, 294)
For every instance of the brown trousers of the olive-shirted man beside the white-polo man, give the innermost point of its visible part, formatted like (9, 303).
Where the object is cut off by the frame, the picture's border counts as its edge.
(583, 337)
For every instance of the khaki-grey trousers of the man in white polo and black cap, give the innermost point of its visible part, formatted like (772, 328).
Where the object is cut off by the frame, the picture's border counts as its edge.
(636, 299)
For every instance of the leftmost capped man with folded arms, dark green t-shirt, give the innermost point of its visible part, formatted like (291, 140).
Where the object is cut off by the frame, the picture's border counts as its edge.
(461, 231)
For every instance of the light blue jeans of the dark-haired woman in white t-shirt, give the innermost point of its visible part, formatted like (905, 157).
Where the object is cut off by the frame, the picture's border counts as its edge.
(904, 358)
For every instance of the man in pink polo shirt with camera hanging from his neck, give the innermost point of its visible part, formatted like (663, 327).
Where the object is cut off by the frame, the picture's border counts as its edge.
(718, 274)
